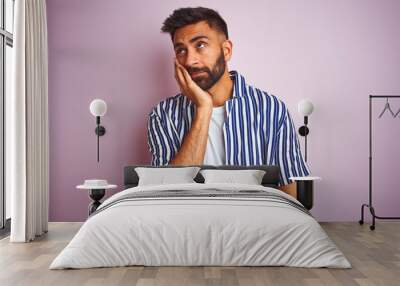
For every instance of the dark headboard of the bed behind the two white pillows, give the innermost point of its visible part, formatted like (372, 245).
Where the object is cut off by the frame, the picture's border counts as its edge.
(270, 179)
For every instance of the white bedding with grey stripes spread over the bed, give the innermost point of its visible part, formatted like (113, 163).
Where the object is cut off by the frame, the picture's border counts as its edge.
(182, 231)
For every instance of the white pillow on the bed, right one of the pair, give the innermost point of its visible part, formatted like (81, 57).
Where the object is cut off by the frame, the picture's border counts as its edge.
(249, 177)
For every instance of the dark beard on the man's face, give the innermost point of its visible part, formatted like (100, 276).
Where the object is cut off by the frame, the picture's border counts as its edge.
(213, 74)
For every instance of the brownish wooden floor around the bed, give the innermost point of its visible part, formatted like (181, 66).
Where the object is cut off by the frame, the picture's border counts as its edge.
(375, 257)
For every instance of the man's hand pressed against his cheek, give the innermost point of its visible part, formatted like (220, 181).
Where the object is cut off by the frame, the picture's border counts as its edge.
(190, 89)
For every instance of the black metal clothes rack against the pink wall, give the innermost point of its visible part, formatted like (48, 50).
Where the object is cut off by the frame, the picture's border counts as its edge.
(369, 205)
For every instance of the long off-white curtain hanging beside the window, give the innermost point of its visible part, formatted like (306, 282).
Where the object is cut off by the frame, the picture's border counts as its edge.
(27, 123)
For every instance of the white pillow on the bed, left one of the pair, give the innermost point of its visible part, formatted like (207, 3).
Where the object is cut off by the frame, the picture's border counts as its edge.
(162, 176)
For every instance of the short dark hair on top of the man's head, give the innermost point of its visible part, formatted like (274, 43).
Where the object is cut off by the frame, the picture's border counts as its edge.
(186, 16)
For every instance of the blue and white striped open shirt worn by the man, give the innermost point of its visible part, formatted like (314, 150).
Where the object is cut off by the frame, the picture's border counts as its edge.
(258, 130)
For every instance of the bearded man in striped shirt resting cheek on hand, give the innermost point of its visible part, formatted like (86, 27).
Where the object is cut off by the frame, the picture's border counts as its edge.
(218, 119)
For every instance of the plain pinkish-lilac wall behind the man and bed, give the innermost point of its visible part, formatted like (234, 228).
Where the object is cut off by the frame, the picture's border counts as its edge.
(332, 52)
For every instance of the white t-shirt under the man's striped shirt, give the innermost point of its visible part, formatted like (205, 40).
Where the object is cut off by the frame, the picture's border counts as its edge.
(215, 150)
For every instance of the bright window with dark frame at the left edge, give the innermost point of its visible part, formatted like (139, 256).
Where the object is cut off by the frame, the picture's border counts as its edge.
(6, 45)
